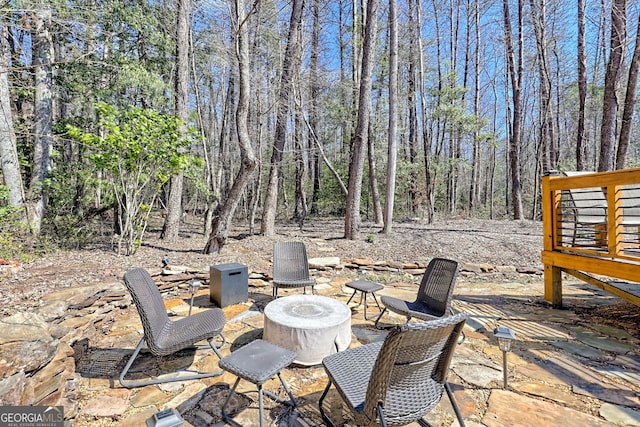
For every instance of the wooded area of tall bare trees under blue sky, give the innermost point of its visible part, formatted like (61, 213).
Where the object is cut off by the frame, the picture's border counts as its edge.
(265, 110)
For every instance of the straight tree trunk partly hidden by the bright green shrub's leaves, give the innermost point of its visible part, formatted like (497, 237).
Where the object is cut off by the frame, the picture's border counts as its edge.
(174, 202)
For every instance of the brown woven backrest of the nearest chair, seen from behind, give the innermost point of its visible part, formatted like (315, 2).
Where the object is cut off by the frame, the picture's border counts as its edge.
(411, 369)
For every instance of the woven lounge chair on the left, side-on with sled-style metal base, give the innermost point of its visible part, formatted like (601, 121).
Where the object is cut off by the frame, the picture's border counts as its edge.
(164, 336)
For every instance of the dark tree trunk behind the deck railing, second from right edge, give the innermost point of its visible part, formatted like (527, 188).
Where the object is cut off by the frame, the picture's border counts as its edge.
(611, 81)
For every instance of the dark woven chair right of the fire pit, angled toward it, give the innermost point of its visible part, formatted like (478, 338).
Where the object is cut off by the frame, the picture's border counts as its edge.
(434, 294)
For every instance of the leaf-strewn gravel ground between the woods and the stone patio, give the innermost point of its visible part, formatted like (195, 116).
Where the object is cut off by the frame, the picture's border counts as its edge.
(498, 243)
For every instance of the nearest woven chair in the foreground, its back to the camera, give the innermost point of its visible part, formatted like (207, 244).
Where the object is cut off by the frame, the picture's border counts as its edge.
(397, 381)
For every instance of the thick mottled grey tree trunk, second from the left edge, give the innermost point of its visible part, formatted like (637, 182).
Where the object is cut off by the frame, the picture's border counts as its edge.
(43, 140)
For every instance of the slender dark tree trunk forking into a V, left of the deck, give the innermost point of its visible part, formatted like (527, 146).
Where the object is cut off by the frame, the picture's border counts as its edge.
(515, 73)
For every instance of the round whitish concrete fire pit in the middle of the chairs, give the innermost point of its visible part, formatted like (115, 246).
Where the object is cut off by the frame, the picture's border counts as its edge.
(314, 326)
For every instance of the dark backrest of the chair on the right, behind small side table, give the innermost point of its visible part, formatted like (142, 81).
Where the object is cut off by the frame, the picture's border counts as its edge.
(436, 287)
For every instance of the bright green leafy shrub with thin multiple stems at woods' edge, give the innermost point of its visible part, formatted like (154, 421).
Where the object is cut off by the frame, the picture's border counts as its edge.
(137, 150)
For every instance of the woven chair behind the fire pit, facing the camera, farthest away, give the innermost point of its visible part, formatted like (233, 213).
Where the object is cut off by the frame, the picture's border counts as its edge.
(291, 267)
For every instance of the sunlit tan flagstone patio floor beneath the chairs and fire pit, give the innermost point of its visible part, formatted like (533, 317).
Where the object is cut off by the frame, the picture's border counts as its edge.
(562, 371)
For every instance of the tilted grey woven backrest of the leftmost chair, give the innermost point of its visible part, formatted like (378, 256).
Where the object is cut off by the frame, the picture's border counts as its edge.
(149, 303)
